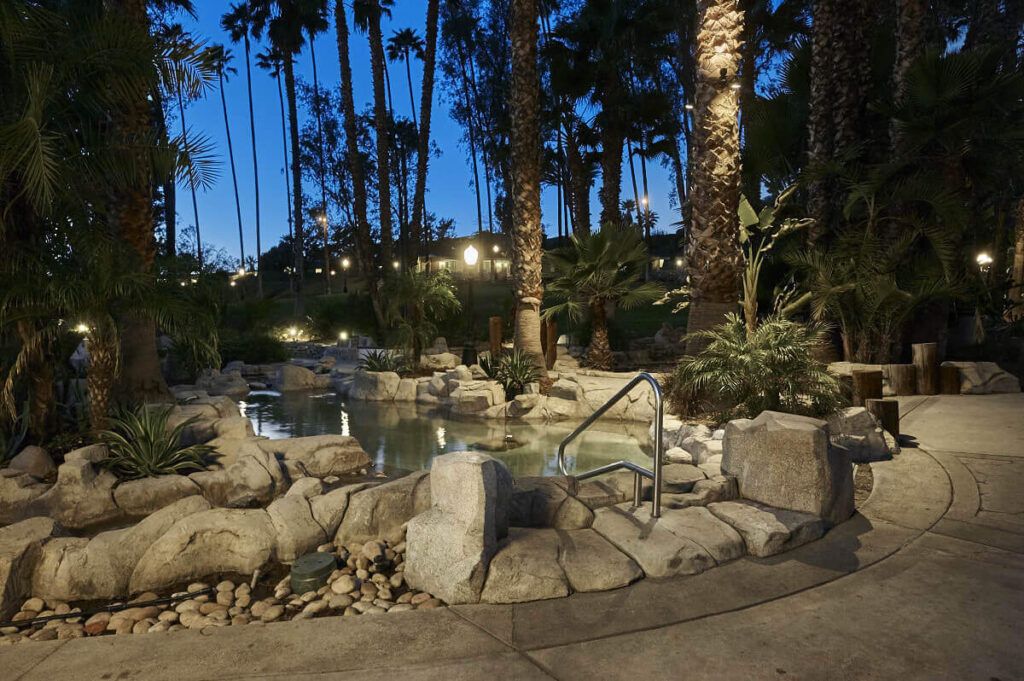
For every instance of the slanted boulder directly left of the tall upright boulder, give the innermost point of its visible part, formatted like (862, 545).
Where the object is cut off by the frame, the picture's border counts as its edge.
(382, 510)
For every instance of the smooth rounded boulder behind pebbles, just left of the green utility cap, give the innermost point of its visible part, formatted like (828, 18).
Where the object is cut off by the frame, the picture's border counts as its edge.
(237, 541)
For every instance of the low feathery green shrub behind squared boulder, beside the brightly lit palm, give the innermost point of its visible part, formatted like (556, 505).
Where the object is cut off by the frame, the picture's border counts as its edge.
(744, 373)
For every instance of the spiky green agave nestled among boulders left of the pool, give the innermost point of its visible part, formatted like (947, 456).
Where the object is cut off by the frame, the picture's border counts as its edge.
(142, 445)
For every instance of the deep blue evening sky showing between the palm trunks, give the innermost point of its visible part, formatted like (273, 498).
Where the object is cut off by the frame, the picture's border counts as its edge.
(450, 180)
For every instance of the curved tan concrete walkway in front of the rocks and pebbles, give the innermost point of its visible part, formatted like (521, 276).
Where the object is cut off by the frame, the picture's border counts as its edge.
(927, 582)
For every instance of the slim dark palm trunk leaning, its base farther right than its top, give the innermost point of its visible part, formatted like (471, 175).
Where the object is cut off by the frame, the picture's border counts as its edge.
(364, 245)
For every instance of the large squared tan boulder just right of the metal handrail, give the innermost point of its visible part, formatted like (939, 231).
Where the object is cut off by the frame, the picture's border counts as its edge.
(787, 461)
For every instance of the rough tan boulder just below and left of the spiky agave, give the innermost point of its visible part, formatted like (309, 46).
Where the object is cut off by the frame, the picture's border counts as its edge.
(82, 496)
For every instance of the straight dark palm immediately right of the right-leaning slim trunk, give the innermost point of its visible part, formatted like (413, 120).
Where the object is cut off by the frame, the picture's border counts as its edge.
(368, 19)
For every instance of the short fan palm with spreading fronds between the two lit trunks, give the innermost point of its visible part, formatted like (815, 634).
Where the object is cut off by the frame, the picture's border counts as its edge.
(598, 271)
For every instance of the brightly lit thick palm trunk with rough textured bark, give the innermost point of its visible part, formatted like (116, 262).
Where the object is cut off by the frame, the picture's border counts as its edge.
(713, 259)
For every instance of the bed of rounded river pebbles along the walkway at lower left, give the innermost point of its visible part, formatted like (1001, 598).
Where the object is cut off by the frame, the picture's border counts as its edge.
(370, 581)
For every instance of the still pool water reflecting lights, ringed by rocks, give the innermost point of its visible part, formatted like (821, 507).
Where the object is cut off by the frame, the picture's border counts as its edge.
(402, 437)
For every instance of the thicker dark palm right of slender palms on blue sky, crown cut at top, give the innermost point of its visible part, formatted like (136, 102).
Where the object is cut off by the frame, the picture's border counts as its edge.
(287, 23)
